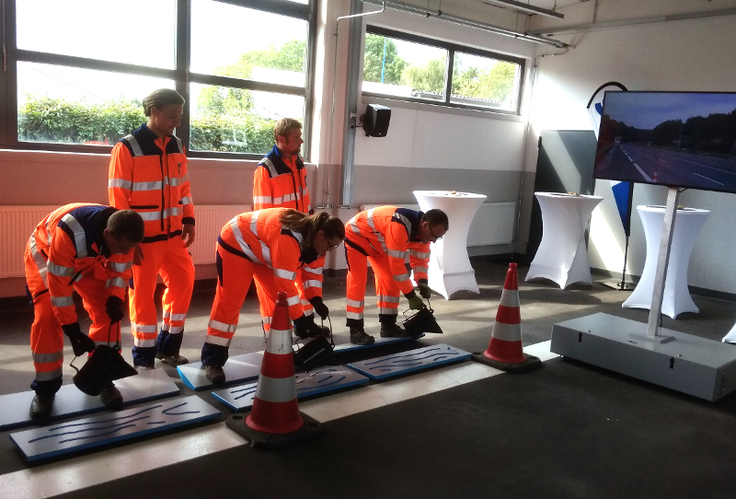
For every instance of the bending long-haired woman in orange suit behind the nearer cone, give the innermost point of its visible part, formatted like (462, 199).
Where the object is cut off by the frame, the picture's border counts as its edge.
(270, 246)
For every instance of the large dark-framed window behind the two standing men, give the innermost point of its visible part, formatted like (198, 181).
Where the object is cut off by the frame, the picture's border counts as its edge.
(79, 69)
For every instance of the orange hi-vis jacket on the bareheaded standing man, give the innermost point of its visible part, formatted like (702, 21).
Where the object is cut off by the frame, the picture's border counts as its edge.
(279, 185)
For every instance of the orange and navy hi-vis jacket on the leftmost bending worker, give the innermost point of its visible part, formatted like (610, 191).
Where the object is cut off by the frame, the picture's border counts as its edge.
(68, 245)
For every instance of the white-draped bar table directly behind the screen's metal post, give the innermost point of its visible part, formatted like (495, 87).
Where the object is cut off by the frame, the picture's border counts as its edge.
(676, 297)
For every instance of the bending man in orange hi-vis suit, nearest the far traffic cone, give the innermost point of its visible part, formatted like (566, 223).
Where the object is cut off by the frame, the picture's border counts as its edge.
(384, 236)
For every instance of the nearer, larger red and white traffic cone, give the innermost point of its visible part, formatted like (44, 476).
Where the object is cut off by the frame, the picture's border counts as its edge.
(274, 419)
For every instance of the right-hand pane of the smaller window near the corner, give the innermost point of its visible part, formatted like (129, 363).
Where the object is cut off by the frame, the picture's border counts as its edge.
(485, 82)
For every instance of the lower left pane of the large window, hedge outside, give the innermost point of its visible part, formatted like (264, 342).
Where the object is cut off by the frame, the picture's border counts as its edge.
(79, 106)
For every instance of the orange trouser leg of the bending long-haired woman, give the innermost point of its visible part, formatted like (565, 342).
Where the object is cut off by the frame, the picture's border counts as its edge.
(237, 273)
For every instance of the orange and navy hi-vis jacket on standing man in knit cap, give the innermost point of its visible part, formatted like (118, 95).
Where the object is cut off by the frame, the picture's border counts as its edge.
(148, 174)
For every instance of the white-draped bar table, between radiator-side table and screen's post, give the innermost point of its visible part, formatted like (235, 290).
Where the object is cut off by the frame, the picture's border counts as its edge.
(562, 256)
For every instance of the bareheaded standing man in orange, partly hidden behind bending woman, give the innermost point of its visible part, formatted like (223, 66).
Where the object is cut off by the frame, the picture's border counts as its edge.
(280, 181)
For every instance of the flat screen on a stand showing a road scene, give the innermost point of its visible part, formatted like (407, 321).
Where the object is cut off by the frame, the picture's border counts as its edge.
(676, 139)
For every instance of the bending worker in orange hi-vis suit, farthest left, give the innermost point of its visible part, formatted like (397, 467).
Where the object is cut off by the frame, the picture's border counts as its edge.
(87, 248)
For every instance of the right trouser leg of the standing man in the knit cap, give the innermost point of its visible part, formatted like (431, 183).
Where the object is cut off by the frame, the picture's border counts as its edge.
(177, 272)
